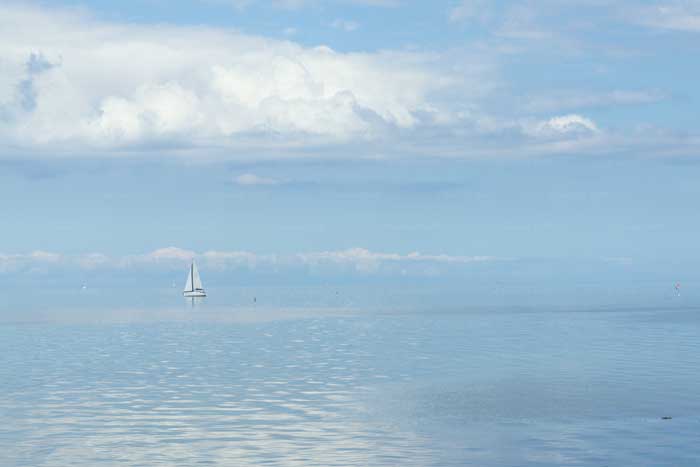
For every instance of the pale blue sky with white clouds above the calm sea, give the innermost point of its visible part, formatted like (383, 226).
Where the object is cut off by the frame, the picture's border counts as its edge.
(367, 140)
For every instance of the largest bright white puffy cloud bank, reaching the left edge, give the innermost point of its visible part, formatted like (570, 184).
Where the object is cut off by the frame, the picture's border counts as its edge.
(127, 87)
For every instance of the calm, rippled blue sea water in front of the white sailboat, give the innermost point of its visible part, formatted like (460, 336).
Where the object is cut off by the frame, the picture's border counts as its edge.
(351, 388)
